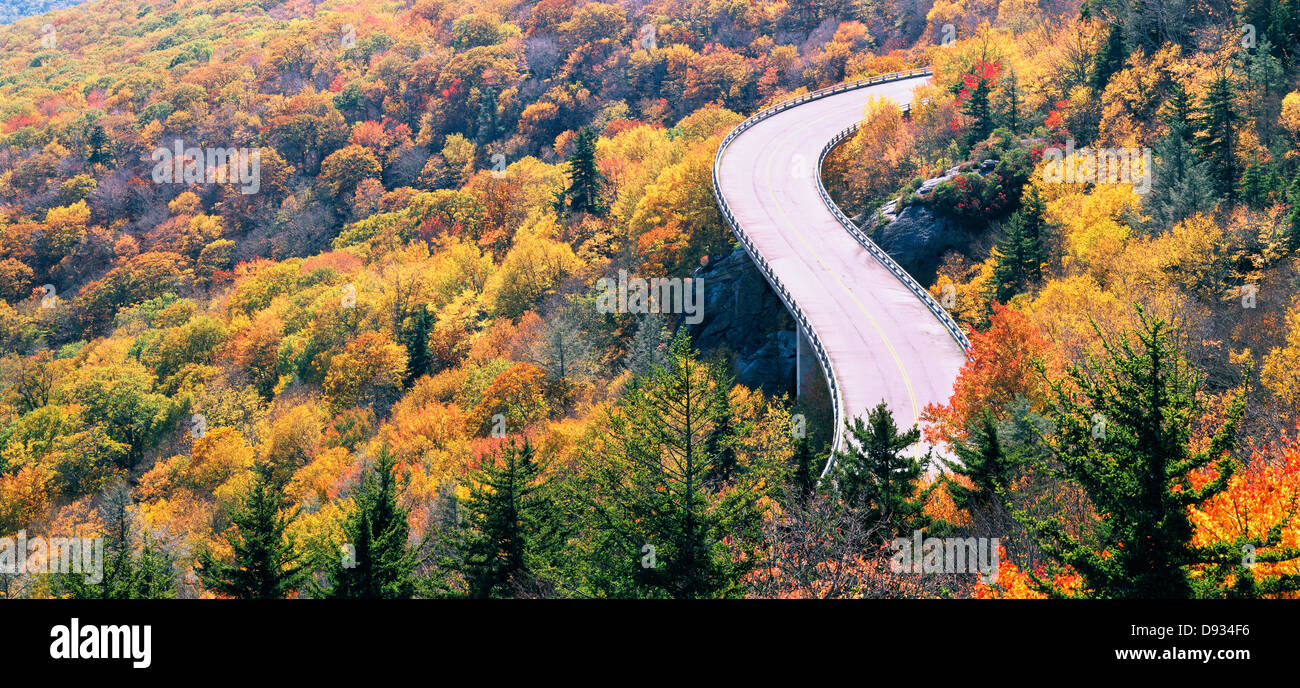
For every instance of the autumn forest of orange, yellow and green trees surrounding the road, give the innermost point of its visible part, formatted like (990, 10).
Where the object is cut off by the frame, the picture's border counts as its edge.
(304, 300)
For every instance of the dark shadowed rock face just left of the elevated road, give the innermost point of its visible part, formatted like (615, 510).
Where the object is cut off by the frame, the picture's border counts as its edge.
(747, 321)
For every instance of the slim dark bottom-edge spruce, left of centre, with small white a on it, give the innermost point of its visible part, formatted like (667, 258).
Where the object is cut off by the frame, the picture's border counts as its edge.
(380, 561)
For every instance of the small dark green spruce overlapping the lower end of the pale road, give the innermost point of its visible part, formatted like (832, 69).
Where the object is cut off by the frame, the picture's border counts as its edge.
(877, 477)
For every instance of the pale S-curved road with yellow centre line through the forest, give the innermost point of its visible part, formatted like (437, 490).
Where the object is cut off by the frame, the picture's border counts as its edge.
(876, 334)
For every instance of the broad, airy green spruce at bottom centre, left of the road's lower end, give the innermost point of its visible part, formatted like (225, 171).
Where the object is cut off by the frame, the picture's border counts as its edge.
(655, 525)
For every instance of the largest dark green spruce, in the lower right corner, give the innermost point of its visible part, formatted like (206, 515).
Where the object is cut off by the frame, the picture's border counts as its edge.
(1123, 431)
